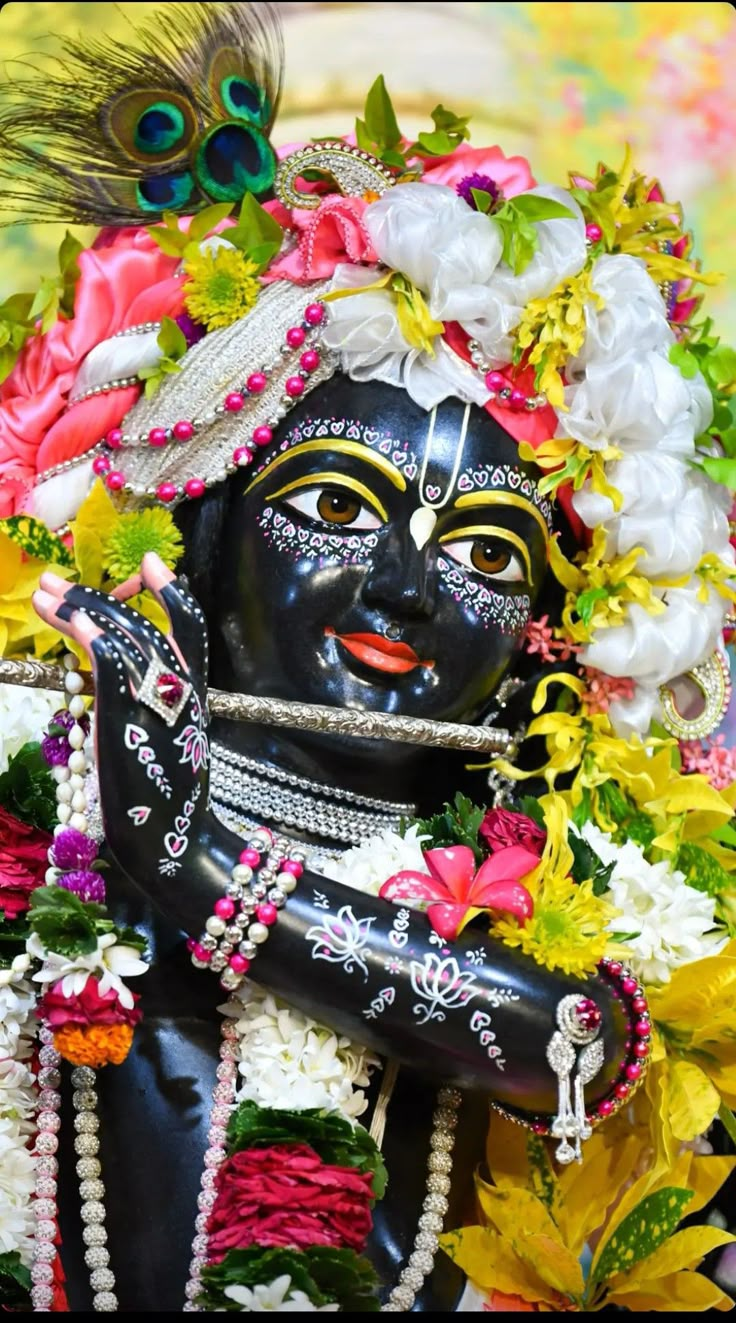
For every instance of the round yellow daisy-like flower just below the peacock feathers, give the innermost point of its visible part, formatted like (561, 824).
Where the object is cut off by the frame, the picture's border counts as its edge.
(222, 286)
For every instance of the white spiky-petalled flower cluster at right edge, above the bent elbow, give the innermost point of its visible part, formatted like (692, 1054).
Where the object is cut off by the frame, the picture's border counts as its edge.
(673, 921)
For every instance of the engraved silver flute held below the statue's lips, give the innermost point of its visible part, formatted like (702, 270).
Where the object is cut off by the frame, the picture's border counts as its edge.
(302, 716)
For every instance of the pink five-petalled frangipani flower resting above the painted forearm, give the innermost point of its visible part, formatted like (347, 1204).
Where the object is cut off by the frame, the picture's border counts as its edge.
(455, 888)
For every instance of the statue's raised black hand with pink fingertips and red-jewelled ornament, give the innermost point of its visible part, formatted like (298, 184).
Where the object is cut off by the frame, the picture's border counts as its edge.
(150, 715)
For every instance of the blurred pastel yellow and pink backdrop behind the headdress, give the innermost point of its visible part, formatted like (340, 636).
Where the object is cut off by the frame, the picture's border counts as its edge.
(565, 84)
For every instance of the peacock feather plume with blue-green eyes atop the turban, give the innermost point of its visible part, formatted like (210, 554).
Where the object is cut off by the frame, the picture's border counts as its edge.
(175, 121)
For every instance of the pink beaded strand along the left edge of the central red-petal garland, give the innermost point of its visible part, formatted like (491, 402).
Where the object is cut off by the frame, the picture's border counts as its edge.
(223, 1100)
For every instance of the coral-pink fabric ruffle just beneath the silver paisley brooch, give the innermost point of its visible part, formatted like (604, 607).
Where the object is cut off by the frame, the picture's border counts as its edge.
(329, 236)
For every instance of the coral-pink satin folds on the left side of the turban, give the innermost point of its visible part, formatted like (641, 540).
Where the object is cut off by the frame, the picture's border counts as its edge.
(121, 285)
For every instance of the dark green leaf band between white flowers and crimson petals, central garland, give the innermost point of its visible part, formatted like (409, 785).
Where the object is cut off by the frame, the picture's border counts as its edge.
(329, 1134)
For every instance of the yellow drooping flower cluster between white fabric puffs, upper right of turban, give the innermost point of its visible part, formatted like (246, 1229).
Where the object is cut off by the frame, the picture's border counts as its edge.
(555, 329)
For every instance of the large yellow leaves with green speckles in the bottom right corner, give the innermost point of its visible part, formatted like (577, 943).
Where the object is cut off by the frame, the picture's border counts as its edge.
(624, 1203)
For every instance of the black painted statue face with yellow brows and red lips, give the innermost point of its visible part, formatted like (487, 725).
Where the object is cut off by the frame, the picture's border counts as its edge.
(381, 558)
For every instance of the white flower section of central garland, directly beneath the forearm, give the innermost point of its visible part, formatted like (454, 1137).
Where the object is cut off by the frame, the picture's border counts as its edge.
(289, 1060)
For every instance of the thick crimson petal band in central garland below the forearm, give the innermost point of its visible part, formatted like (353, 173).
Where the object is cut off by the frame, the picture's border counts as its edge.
(287, 1197)
